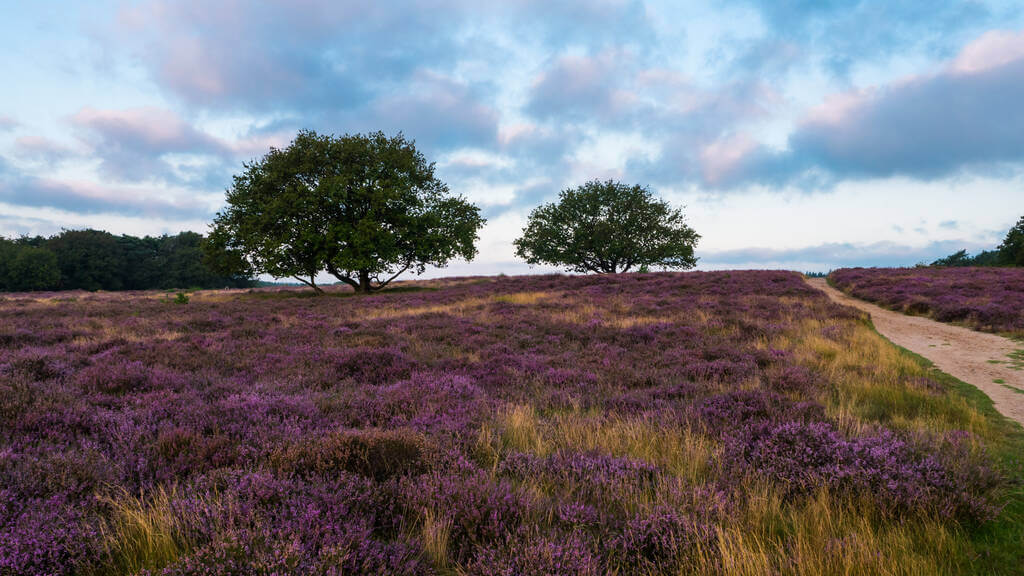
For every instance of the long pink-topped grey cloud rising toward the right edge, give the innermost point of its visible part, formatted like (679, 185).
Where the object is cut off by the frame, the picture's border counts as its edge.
(966, 117)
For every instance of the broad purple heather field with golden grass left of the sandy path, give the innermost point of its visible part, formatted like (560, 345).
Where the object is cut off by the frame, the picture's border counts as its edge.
(653, 424)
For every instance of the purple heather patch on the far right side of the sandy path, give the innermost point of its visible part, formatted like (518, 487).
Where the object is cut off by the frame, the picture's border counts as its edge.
(991, 300)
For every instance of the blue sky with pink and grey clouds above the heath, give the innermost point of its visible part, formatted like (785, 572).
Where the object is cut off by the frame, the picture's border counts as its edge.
(798, 135)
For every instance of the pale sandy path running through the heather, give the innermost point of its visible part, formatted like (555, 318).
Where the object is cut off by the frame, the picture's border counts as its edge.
(960, 352)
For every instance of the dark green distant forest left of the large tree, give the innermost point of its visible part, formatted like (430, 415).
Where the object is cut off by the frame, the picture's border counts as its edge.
(91, 260)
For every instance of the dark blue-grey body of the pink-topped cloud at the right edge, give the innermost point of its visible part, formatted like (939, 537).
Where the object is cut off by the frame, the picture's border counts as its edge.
(926, 128)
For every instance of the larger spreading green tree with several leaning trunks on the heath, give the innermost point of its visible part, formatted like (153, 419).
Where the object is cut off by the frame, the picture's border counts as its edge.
(364, 209)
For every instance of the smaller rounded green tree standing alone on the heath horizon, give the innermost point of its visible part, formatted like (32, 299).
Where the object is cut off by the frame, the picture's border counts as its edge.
(609, 228)
